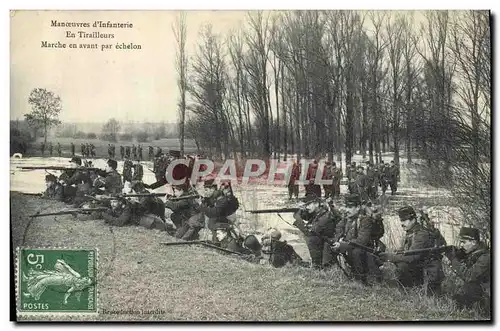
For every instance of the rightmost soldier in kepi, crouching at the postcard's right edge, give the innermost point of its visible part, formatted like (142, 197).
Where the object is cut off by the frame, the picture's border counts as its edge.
(472, 263)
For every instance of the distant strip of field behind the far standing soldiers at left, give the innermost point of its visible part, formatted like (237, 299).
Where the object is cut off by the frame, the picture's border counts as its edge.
(102, 146)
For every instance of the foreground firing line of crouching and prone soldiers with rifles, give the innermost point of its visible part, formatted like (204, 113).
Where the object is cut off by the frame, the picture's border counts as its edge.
(348, 236)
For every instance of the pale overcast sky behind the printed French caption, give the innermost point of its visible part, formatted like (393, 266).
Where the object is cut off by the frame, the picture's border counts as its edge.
(95, 85)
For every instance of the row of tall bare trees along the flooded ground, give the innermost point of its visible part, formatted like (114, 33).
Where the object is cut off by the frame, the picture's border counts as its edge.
(316, 82)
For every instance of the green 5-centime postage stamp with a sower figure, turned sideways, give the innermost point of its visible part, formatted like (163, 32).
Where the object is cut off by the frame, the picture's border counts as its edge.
(56, 281)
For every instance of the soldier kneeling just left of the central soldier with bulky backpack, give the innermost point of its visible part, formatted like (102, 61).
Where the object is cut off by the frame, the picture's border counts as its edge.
(182, 209)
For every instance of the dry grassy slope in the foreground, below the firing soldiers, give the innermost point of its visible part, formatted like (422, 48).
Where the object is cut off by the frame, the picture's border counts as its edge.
(187, 283)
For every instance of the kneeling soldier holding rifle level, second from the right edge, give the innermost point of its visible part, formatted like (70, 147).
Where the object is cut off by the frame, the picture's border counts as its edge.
(420, 269)
